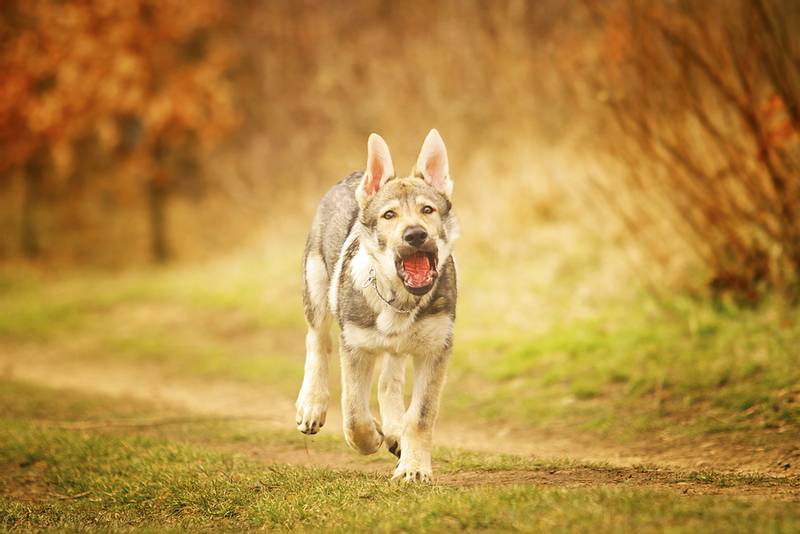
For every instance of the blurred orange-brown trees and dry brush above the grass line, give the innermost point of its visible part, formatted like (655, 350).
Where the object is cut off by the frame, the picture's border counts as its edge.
(143, 131)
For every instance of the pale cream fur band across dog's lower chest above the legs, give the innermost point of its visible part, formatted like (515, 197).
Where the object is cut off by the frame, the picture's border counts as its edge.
(432, 334)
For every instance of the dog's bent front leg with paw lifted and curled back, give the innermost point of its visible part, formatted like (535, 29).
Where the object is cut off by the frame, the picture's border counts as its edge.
(361, 431)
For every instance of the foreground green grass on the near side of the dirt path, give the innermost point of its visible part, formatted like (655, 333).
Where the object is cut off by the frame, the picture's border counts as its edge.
(181, 479)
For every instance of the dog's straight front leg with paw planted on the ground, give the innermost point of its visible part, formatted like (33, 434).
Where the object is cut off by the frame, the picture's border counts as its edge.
(417, 440)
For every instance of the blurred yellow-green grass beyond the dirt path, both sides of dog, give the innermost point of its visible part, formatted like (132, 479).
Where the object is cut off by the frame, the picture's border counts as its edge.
(629, 370)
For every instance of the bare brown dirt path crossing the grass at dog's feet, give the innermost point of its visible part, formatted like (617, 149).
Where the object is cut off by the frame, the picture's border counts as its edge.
(235, 400)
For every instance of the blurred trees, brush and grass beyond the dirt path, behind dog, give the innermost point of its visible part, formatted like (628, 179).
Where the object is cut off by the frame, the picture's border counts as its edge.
(627, 178)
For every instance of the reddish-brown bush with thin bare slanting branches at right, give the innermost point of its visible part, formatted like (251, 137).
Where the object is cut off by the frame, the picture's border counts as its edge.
(698, 102)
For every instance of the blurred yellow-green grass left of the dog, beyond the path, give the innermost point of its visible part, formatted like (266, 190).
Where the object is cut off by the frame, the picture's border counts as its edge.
(215, 321)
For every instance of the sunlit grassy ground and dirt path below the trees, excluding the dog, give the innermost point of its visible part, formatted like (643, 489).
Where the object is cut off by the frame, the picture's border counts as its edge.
(166, 395)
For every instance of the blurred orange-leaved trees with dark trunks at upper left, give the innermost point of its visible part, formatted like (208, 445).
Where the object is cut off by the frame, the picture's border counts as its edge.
(132, 89)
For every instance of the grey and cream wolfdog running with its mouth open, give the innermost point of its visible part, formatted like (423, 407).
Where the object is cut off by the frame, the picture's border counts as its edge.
(379, 259)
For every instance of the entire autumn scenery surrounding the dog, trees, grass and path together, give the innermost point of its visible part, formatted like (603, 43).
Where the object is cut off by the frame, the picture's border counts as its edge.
(627, 342)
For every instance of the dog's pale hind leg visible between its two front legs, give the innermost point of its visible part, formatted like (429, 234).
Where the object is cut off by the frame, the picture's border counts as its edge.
(390, 399)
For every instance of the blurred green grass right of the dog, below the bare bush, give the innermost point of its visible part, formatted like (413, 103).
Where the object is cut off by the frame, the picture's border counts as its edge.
(710, 369)
